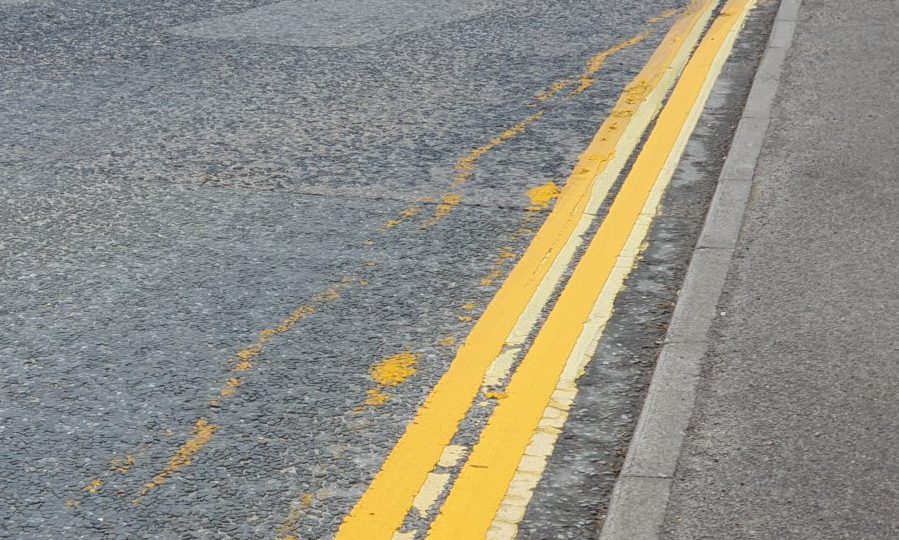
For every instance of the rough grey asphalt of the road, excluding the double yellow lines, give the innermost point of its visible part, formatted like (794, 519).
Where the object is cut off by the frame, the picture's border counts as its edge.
(241, 241)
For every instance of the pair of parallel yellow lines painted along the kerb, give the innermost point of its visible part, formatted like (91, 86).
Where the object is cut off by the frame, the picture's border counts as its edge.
(479, 490)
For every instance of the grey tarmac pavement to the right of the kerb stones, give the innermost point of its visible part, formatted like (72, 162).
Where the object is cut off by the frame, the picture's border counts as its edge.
(795, 430)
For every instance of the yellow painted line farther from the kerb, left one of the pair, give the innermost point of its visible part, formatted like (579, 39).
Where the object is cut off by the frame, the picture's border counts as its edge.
(381, 510)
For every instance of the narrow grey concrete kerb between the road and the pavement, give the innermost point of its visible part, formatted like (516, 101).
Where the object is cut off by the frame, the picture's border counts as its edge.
(640, 496)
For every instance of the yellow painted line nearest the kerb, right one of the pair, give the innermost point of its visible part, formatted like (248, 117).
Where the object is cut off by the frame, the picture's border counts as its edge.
(476, 495)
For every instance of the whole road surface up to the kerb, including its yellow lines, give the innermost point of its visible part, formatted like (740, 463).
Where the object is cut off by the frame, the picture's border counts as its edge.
(244, 242)
